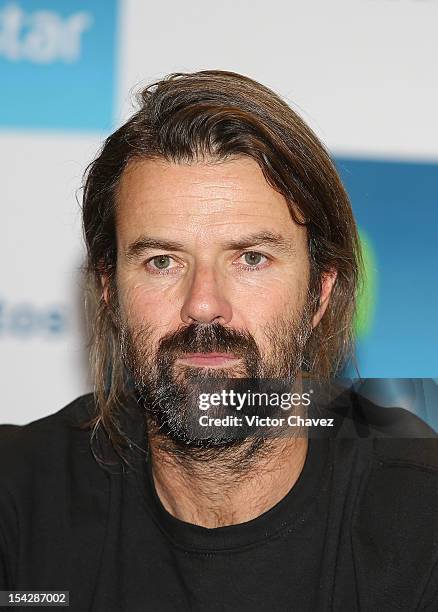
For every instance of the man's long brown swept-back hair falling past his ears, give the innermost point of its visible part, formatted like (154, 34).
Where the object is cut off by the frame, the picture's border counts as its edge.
(216, 115)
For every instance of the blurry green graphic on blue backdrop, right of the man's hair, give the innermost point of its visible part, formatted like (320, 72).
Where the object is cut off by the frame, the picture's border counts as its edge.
(367, 295)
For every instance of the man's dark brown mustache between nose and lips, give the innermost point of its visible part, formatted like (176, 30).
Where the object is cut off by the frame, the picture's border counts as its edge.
(205, 338)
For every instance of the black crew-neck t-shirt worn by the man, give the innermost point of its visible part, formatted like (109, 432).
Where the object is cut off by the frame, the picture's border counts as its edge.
(358, 531)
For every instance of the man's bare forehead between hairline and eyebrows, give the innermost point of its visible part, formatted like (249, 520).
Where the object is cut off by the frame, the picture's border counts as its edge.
(208, 200)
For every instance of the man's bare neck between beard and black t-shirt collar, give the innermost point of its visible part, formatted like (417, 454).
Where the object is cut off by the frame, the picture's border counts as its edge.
(228, 486)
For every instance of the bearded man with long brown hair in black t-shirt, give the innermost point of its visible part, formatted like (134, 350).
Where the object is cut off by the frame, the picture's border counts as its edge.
(221, 247)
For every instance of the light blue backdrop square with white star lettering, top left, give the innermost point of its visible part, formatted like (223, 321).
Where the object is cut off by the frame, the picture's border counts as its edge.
(57, 63)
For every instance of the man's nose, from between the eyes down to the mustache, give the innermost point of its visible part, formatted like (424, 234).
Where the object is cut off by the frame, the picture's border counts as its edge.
(205, 301)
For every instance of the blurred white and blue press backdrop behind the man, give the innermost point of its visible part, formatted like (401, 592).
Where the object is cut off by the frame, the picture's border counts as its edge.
(362, 73)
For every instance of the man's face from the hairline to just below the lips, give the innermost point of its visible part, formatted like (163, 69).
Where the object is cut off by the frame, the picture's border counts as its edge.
(212, 274)
